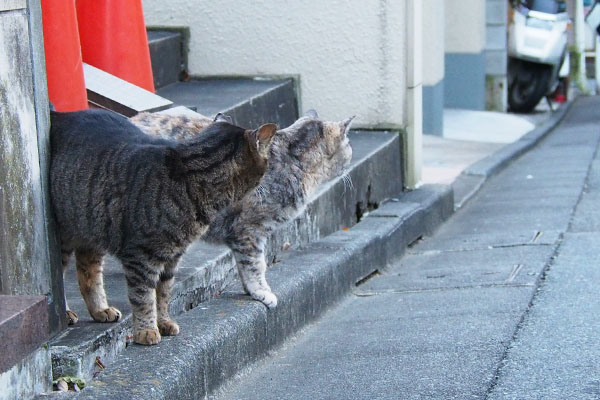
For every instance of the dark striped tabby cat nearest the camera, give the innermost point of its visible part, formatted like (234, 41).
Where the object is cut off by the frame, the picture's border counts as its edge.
(117, 190)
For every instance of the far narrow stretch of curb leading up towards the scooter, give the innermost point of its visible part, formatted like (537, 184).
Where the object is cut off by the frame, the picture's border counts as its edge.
(468, 183)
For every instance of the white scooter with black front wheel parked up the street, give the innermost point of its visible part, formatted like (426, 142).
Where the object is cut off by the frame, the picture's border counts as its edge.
(537, 48)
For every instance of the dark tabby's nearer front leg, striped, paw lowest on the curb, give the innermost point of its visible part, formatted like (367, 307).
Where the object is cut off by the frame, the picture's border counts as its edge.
(142, 280)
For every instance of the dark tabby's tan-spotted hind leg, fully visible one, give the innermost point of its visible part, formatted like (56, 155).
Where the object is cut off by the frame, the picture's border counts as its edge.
(91, 284)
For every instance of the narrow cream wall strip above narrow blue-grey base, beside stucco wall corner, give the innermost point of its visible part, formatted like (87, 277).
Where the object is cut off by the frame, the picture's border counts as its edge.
(433, 41)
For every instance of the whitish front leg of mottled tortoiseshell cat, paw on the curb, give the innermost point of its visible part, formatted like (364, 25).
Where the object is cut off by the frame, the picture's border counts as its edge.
(252, 269)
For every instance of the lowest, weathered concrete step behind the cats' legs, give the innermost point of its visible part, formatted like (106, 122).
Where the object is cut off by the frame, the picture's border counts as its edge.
(206, 271)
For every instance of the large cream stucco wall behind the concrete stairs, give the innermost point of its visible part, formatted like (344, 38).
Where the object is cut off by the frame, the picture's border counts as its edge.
(350, 55)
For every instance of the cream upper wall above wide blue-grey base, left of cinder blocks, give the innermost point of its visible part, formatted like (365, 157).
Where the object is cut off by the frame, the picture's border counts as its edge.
(465, 26)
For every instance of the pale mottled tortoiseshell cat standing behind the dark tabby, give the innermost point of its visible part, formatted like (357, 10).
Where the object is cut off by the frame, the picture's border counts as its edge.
(300, 158)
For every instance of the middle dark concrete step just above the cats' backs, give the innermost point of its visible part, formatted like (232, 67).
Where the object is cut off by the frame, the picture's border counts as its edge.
(250, 102)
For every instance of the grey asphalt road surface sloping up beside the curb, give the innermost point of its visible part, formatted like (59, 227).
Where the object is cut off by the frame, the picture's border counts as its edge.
(500, 303)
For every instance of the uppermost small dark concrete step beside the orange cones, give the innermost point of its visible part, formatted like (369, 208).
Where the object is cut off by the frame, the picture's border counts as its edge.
(167, 55)
